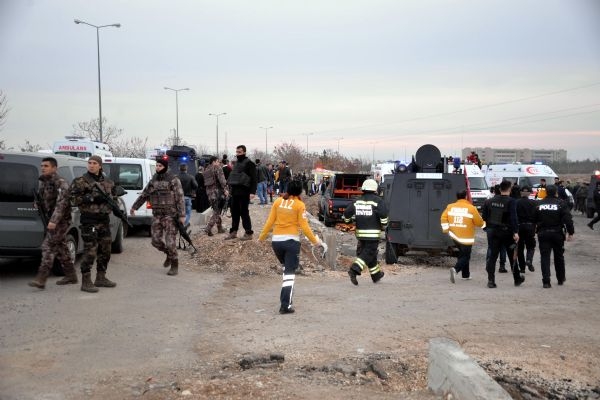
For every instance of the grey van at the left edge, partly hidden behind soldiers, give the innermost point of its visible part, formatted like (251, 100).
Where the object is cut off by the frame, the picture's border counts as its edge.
(21, 227)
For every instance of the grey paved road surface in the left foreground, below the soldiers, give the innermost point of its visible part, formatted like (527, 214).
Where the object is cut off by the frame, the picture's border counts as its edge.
(57, 342)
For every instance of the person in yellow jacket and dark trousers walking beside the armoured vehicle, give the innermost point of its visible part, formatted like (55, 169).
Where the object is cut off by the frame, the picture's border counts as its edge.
(459, 220)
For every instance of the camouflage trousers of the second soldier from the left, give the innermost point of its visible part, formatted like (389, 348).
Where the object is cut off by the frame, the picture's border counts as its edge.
(96, 246)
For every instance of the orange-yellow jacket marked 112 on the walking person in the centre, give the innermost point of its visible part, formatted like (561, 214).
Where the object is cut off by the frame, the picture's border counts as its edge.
(287, 218)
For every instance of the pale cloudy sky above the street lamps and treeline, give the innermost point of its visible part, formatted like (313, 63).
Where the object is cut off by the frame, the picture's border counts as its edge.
(374, 78)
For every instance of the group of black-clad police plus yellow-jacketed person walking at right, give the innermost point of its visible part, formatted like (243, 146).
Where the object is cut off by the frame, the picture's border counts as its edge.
(512, 220)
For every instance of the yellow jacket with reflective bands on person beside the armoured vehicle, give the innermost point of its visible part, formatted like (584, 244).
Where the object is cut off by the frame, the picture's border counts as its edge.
(459, 221)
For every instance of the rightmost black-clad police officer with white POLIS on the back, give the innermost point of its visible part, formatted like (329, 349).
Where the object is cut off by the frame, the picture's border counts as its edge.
(552, 217)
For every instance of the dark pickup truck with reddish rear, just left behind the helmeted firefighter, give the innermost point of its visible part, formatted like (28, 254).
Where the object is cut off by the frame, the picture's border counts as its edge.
(342, 190)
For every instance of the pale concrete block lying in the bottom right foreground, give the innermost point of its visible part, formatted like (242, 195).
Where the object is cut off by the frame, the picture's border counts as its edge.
(451, 370)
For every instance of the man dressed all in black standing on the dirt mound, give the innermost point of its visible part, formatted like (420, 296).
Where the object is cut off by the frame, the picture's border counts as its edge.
(242, 181)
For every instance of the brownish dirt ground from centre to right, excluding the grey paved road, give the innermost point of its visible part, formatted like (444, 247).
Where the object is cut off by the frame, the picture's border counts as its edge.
(371, 341)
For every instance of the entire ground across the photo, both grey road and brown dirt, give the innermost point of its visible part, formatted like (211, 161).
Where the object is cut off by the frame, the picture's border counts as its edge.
(214, 330)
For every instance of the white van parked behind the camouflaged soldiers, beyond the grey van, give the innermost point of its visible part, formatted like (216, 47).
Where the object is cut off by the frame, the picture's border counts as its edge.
(133, 174)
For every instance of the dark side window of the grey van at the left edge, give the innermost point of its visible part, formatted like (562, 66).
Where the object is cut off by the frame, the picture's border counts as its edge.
(17, 182)
